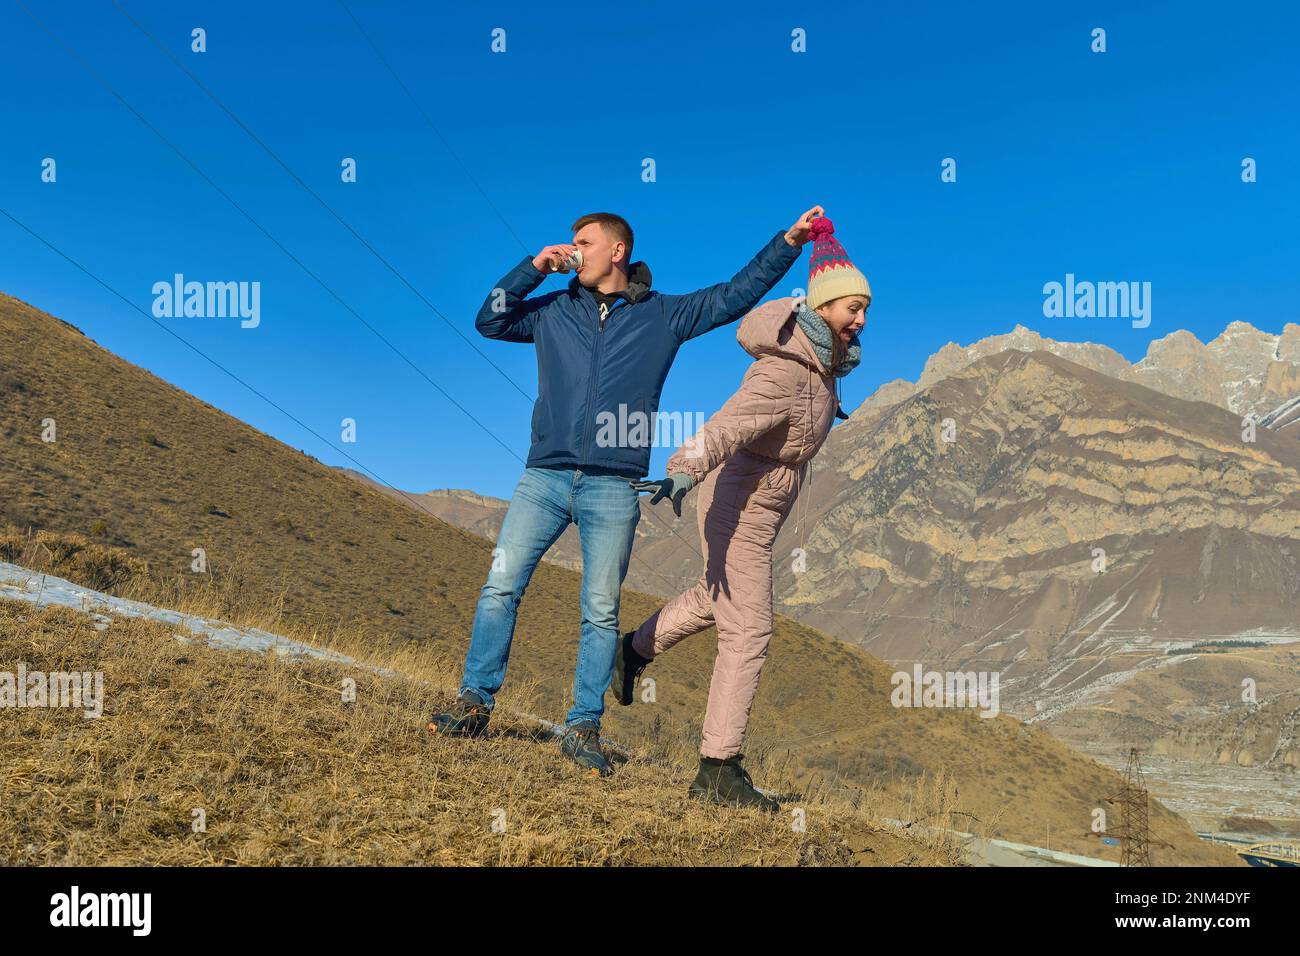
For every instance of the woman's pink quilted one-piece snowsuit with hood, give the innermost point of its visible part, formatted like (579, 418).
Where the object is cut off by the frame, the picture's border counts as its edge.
(762, 440)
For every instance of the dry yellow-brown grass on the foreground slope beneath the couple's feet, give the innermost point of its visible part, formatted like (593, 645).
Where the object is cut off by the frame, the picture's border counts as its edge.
(289, 773)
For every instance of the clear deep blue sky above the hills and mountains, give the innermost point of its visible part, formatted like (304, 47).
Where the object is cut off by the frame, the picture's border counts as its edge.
(1124, 166)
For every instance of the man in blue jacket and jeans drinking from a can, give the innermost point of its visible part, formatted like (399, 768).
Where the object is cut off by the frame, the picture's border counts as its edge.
(605, 341)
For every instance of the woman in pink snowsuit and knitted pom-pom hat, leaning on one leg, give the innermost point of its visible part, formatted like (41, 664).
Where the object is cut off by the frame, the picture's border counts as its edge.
(749, 462)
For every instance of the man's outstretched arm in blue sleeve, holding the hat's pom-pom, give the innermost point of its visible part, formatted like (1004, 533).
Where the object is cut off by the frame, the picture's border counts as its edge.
(703, 312)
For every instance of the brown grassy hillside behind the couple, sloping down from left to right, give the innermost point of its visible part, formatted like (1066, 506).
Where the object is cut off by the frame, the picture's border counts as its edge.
(141, 466)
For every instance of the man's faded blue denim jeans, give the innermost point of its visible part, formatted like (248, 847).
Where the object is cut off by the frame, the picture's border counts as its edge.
(547, 500)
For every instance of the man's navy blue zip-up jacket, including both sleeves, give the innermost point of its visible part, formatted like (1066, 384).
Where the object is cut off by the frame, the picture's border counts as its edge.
(587, 366)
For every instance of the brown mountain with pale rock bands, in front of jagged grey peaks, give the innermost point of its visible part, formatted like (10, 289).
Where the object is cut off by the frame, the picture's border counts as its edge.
(1069, 509)
